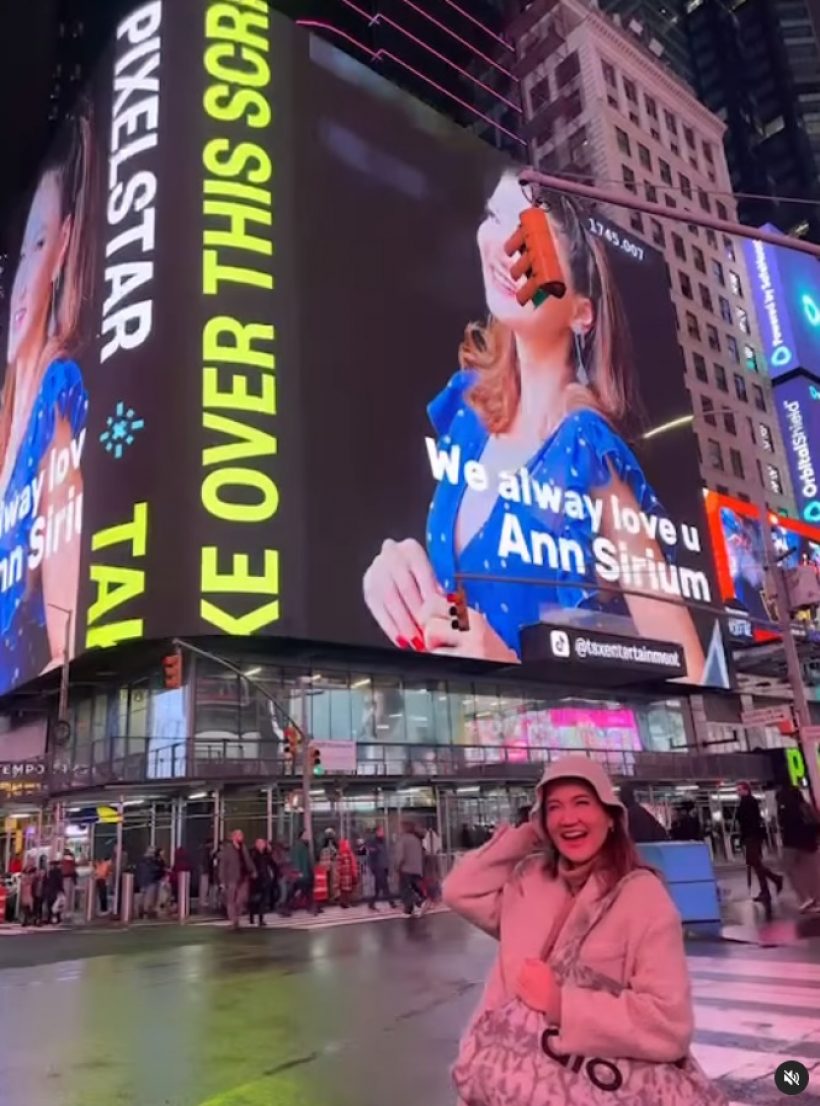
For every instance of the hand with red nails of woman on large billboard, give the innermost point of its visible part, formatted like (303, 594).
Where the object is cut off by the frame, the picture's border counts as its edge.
(397, 588)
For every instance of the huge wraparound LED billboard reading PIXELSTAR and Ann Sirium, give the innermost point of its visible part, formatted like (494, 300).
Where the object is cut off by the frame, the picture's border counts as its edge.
(272, 346)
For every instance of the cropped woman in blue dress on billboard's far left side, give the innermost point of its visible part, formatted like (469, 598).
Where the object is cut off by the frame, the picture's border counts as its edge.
(44, 409)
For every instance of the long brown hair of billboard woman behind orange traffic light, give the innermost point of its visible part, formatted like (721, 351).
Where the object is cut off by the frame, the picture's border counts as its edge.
(490, 348)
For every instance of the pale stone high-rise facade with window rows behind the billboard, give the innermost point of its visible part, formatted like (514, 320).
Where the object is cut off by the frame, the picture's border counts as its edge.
(601, 107)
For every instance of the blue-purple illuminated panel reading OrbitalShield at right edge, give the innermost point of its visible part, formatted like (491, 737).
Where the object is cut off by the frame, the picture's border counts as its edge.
(797, 400)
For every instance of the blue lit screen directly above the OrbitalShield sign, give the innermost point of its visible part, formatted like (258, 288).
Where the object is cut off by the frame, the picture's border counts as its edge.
(786, 290)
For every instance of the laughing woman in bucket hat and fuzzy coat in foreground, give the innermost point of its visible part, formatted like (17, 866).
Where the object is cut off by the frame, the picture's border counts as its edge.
(572, 905)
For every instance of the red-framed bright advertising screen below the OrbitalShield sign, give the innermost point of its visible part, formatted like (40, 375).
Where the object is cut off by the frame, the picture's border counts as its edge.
(741, 561)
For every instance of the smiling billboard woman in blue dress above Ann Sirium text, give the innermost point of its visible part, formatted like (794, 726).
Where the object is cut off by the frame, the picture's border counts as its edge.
(537, 405)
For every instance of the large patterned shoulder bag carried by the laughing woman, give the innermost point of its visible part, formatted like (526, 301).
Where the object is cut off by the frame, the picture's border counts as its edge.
(508, 1058)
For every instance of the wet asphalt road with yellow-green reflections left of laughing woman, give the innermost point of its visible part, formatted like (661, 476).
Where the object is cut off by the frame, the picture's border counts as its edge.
(362, 1016)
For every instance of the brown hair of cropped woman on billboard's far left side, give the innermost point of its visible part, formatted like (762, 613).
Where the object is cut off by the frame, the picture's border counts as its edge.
(70, 163)
